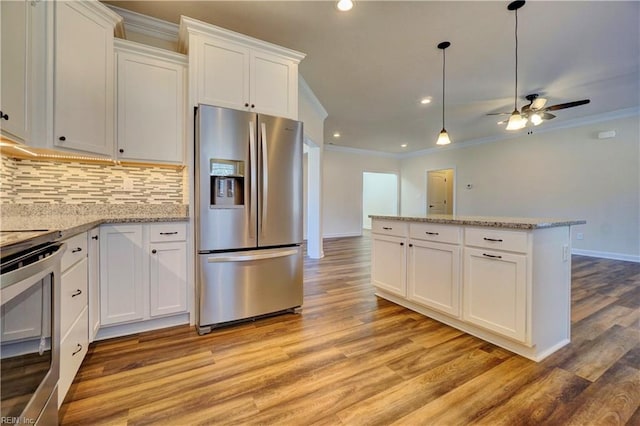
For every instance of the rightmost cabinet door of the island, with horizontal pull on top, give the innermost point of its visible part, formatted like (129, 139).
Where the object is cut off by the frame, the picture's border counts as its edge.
(495, 291)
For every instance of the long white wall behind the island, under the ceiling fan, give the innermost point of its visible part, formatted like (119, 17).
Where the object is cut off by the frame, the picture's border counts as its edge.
(565, 173)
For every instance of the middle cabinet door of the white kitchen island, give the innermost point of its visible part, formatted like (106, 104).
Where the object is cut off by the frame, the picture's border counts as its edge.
(434, 275)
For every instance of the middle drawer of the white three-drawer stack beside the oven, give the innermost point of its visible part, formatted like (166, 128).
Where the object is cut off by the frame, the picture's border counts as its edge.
(73, 297)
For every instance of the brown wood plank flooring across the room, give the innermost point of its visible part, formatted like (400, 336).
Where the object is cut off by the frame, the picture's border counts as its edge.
(353, 359)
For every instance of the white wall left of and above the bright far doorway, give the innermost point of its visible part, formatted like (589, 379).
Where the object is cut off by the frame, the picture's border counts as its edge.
(342, 187)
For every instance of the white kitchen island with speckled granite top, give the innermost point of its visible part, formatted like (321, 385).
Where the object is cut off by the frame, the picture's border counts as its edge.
(504, 280)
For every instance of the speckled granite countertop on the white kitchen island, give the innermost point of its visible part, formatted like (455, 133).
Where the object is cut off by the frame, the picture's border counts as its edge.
(488, 221)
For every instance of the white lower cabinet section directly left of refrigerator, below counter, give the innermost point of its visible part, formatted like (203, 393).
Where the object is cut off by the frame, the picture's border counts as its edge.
(143, 272)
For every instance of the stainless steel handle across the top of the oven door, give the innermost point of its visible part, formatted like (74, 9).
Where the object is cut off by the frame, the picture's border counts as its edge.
(15, 282)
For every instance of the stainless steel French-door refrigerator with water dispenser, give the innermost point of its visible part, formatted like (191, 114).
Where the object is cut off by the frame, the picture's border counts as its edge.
(248, 183)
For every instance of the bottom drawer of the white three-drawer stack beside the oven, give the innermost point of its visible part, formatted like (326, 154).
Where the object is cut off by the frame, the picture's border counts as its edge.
(73, 349)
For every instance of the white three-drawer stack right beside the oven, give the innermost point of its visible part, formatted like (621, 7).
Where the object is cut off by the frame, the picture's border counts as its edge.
(74, 323)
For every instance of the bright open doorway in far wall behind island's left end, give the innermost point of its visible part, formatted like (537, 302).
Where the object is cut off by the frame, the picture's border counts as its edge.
(379, 196)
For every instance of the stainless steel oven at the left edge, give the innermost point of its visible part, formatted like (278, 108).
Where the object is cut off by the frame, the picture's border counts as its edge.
(30, 334)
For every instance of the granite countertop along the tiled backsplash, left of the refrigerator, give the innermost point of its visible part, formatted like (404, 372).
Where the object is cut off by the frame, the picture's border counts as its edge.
(69, 220)
